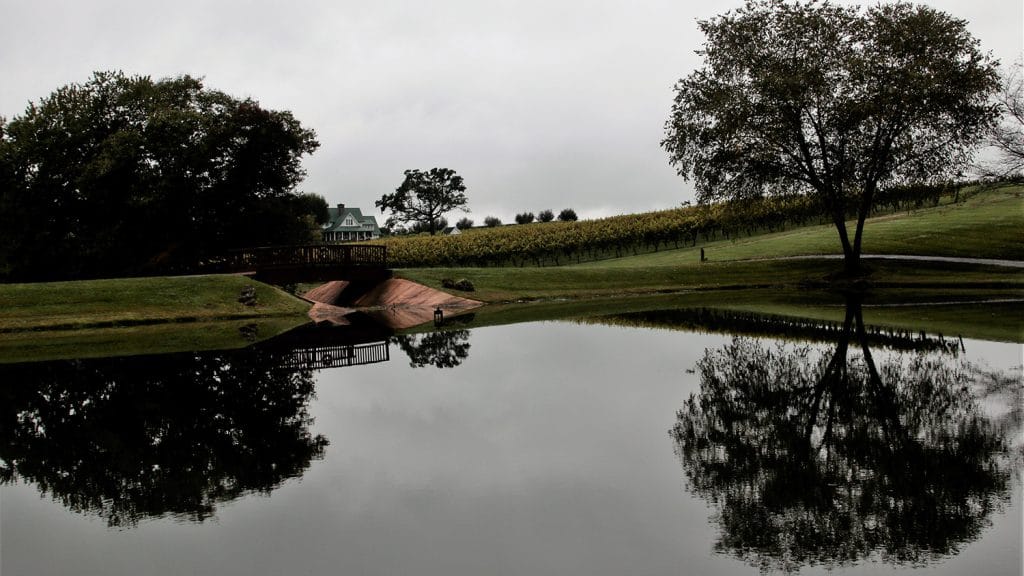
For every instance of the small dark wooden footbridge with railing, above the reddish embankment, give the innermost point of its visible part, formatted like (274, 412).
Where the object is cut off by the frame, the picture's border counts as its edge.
(286, 265)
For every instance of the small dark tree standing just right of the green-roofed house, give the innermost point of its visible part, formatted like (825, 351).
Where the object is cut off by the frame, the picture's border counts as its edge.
(424, 197)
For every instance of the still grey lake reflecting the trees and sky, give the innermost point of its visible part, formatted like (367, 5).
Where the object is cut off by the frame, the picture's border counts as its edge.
(663, 442)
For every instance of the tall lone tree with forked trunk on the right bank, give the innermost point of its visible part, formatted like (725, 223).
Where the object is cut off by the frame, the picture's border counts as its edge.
(833, 102)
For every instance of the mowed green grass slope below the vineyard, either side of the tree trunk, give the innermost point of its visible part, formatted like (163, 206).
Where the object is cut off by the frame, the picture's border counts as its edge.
(987, 226)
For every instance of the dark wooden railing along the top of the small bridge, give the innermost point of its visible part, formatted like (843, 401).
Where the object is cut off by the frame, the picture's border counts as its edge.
(315, 256)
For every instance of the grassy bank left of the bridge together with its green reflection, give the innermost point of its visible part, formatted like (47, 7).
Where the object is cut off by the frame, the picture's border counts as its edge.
(134, 316)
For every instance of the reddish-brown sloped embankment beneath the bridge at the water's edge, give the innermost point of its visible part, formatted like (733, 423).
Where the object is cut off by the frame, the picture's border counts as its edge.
(399, 304)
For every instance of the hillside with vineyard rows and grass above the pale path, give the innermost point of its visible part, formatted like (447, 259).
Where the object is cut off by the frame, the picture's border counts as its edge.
(955, 218)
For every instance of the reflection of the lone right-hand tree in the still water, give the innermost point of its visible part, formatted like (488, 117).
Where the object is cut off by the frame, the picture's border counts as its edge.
(812, 459)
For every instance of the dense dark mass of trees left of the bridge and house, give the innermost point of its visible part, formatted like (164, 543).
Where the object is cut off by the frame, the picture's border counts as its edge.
(124, 175)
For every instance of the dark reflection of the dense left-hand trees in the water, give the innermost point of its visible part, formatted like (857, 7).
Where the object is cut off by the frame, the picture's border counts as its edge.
(136, 438)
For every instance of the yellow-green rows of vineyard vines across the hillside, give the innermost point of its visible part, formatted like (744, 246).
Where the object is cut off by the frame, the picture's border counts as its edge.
(571, 242)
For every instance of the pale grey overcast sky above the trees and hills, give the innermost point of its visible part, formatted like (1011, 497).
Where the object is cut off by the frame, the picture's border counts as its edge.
(537, 104)
